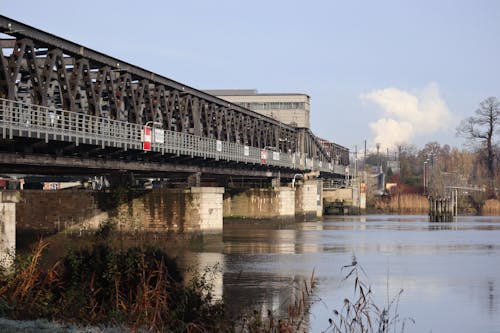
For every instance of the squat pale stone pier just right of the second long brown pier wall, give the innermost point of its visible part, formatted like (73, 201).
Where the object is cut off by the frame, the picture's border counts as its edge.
(308, 199)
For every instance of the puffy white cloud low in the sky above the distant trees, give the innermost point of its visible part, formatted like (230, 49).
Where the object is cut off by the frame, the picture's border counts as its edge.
(406, 115)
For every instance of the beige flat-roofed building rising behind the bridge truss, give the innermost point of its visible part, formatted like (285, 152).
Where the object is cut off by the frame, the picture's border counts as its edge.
(291, 109)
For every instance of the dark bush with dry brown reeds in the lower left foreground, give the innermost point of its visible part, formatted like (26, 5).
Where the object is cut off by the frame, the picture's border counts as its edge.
(136, 288)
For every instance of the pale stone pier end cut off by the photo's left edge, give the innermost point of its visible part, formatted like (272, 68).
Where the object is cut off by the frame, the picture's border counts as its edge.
(8, 200)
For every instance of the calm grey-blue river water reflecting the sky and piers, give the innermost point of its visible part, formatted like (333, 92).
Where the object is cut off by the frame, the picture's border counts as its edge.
(449, 272)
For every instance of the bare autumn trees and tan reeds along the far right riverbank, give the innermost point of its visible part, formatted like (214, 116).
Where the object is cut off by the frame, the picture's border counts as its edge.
(435, 168)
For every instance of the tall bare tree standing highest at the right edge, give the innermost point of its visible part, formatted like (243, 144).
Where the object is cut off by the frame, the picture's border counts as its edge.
(480, 129)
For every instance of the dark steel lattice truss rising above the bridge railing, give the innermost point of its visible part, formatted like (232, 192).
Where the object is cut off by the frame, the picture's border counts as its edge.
(40, 68)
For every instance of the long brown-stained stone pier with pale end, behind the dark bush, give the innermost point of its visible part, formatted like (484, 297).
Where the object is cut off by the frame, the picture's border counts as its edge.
(157, 210)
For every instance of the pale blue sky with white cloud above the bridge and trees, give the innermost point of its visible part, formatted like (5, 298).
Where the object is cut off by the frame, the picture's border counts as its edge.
(388, 72)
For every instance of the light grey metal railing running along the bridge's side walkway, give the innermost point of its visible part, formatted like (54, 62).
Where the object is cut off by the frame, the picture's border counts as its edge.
(33, 121)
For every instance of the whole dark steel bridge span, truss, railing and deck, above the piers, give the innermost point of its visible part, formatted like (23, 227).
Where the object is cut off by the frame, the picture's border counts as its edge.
(67, 107)
